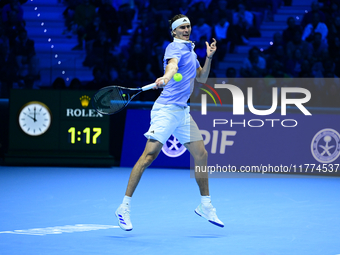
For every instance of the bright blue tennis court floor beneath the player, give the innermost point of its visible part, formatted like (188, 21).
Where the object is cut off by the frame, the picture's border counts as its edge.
(63, 210)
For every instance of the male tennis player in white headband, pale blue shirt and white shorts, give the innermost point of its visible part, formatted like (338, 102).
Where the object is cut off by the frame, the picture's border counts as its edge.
(170, 115)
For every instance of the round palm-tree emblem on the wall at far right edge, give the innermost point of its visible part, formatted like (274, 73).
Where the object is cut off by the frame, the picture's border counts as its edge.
(325, 145)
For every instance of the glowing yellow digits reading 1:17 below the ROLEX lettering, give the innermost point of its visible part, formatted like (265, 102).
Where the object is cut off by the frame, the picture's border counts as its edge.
(87, 135)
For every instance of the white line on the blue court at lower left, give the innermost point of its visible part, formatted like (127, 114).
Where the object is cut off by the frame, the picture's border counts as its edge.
(60, 229)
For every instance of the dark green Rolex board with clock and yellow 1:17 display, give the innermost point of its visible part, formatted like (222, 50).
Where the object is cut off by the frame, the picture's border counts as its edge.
(57, 127)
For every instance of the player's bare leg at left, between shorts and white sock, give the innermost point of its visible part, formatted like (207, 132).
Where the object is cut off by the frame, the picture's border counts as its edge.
(151, 151)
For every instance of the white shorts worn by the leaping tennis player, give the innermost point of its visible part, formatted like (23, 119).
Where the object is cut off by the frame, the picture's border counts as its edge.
(167, 120)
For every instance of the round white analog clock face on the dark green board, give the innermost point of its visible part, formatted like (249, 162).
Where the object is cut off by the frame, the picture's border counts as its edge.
(35, 118)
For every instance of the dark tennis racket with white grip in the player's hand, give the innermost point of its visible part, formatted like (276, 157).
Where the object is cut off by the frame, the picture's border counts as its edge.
(112, 99)
